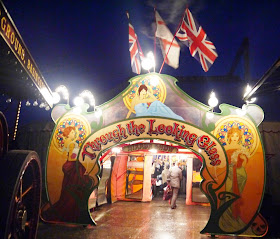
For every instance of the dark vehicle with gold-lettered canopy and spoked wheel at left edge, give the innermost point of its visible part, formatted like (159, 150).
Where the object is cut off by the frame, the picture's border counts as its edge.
(20, 173)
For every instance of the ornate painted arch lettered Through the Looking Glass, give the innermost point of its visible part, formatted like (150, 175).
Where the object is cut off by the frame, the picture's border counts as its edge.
(233, 157)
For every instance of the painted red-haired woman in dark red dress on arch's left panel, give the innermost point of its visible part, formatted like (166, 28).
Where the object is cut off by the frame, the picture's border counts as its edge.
(75, 178)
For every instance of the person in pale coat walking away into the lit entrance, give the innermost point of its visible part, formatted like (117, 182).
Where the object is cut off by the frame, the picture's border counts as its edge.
(175, 176)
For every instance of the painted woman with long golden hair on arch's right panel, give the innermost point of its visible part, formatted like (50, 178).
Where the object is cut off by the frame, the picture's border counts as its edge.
(238, 157)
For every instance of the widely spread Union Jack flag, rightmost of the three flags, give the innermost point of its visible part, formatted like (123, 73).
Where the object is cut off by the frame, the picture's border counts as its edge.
(200, 46)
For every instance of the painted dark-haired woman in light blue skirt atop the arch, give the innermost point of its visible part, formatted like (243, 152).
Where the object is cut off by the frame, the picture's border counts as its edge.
(156, 108)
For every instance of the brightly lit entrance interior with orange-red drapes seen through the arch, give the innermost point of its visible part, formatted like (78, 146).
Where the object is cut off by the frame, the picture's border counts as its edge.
(137, 171)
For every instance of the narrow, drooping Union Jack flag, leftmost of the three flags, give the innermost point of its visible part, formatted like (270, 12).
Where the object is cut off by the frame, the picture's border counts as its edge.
(134, 52)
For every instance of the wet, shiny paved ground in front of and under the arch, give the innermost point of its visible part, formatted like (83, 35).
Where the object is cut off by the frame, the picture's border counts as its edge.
(154, 220)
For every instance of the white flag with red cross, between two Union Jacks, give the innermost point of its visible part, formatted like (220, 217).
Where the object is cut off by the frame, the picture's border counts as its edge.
(168, 43)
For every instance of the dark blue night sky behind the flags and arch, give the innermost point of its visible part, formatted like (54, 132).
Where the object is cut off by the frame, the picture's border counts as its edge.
(84, 44)
